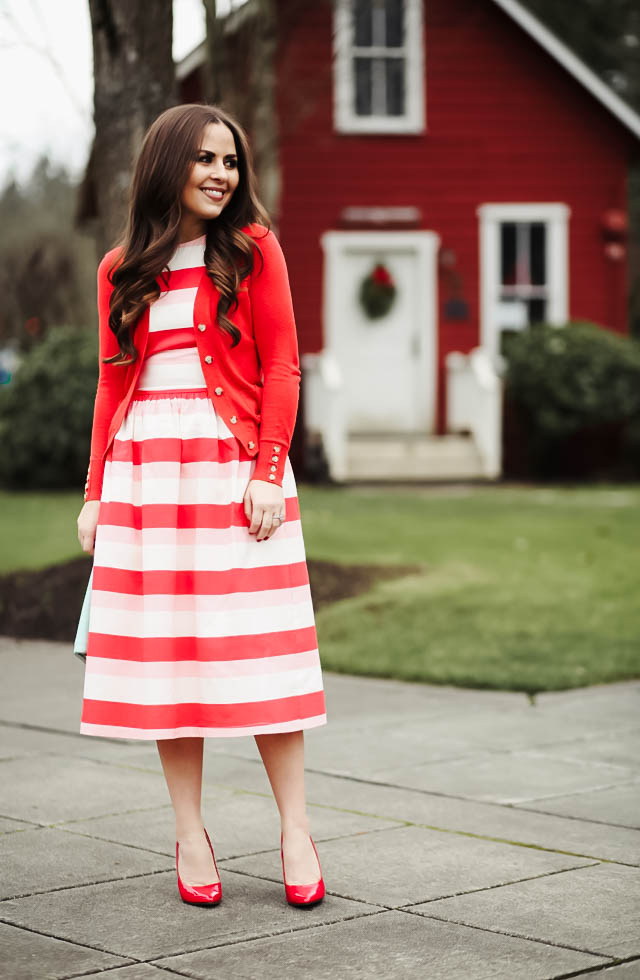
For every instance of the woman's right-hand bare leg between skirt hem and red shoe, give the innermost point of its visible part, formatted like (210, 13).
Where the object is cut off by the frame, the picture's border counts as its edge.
(283, 757)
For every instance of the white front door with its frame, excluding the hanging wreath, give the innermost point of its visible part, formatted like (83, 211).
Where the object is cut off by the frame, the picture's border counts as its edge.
(388, 364)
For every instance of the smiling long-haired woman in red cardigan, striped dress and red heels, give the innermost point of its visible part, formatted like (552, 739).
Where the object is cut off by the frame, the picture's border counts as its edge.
(194, 630)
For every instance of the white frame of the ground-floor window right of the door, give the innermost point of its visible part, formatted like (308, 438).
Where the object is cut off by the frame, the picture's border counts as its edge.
(556, 218)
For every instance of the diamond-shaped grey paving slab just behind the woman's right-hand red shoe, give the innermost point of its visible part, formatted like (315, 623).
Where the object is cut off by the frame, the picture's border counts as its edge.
(410, 864)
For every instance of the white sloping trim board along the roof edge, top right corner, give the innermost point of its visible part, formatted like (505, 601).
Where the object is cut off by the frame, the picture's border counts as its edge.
(571, 63)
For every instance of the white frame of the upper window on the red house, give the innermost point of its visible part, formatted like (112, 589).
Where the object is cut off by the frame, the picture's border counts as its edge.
(344, 116)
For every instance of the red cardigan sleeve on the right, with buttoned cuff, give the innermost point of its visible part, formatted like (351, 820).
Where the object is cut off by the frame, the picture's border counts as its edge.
(277, 345)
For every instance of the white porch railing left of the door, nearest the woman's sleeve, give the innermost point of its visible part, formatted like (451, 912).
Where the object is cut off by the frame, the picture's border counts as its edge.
(325, 410)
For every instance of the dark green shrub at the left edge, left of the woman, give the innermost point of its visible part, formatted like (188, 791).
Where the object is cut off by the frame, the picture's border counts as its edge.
(46, 412)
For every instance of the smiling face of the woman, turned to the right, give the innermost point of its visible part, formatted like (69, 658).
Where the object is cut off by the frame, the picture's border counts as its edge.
(212, 181)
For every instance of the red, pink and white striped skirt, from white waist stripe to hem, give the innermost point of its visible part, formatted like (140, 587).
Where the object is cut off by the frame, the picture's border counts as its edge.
(196, 628)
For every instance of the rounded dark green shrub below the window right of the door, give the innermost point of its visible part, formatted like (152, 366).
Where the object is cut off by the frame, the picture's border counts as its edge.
(579, 380)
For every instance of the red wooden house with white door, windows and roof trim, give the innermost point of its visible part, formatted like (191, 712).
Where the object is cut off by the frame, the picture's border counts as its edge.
(462, 148)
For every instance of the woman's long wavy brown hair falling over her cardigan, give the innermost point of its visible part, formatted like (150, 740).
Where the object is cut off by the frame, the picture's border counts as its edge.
(163, 166)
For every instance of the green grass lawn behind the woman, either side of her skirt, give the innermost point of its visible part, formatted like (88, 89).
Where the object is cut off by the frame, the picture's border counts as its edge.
(521, 588)
